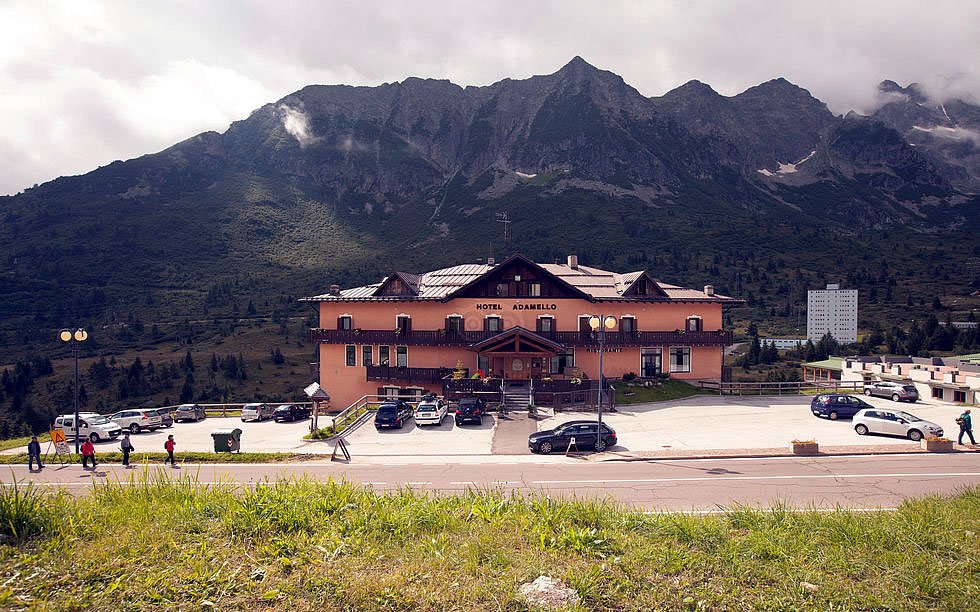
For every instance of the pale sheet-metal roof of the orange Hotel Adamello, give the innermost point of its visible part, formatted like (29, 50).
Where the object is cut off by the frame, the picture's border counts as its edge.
(594, 283)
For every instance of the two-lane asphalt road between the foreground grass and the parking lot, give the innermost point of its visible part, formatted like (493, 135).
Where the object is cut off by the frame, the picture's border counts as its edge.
(861, 482)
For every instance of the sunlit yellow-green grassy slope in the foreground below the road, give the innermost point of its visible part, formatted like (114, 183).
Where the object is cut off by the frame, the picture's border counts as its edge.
(336, 546)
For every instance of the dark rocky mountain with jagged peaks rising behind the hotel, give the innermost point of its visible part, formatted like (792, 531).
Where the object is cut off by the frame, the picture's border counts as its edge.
(345, 184)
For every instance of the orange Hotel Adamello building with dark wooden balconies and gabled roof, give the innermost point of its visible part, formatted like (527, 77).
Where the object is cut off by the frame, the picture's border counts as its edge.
(517, 320)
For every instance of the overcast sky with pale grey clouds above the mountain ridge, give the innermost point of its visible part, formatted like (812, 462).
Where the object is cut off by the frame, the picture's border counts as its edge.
(83, 83)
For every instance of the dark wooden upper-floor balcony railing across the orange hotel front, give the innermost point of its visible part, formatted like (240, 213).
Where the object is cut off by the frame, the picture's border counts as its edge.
(442, 337)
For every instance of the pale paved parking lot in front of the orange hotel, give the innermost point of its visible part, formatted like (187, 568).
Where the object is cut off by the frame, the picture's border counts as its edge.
(697, 423)
